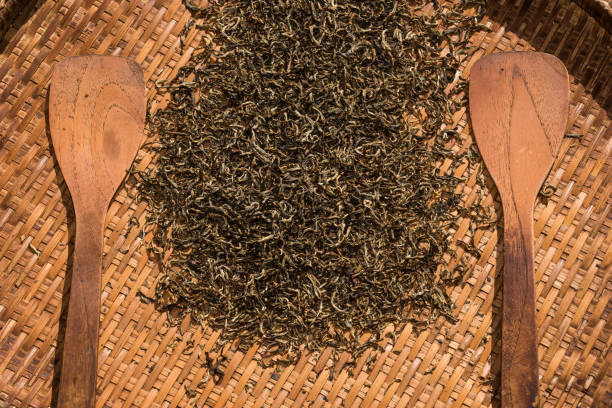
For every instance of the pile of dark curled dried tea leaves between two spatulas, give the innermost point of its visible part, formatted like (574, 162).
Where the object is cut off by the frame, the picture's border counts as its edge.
(295, 198)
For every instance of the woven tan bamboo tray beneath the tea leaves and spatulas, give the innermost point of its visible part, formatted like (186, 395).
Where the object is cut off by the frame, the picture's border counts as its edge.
(142, 360)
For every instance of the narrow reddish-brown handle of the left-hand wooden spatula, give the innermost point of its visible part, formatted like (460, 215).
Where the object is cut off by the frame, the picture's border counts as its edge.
(78, 375)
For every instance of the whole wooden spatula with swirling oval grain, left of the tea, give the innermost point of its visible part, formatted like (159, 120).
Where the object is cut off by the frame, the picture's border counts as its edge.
(96, 114)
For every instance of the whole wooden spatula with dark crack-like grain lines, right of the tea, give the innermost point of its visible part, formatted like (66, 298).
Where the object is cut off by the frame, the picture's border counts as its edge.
(519, 105)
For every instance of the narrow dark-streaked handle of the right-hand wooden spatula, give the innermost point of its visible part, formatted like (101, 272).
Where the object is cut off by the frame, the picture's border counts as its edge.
(519, 348)
